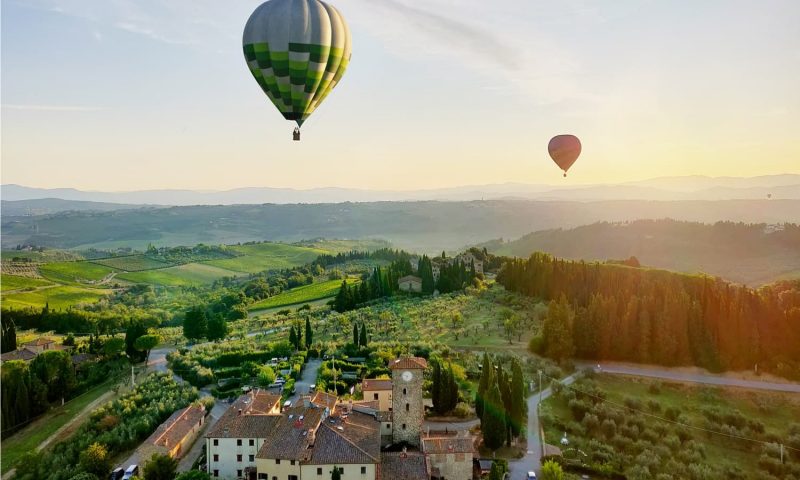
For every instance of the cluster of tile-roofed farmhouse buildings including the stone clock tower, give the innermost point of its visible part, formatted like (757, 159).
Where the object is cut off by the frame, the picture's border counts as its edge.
(318, 434)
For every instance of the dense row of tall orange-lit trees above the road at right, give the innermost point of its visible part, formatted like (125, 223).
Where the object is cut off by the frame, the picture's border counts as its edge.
(614, 312)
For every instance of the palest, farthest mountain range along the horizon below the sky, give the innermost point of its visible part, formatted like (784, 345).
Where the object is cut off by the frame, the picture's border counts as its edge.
(786, 186)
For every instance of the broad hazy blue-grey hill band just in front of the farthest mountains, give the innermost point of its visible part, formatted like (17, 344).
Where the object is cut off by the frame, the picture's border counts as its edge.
(429, 226)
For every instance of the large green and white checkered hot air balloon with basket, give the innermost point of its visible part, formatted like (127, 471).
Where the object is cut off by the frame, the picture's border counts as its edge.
(297, 50)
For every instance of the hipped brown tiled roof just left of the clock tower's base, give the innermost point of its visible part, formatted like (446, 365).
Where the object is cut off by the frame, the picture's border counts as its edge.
(354, 438)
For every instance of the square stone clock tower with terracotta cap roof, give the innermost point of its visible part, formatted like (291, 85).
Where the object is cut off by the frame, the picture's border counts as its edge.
(407, 409)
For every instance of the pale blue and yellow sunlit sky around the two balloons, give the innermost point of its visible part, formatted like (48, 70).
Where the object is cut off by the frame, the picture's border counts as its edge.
(120, 95)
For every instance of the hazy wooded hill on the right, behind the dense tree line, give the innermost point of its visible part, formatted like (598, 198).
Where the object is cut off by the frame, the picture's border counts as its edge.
(750, 254)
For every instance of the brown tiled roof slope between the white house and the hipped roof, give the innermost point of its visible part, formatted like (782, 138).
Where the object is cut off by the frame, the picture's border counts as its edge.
(290, 437)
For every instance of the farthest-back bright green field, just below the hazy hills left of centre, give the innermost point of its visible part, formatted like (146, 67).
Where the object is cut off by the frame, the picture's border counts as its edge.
(267, 256)
